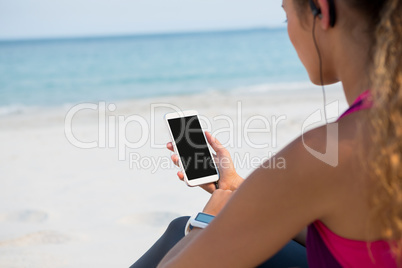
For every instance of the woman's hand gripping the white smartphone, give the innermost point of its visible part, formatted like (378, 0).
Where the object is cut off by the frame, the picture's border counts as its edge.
(228, 177)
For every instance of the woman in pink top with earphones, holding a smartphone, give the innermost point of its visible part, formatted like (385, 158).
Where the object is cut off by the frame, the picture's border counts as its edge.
(353, 212)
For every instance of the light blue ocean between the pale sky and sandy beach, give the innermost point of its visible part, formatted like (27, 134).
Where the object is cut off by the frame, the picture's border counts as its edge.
(47, 73)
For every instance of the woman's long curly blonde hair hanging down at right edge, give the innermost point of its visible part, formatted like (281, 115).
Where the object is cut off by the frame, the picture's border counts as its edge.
(386, 120)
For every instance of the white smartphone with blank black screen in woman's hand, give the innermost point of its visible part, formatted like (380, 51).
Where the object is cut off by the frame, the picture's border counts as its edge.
(190, 144)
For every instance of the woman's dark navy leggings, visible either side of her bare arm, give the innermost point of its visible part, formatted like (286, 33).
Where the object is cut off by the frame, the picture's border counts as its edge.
(291, 255)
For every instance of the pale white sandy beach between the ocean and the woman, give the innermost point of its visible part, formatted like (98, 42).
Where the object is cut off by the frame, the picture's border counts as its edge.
(63, 205)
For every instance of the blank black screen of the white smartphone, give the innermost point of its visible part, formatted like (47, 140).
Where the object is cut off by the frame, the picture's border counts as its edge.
(192, 146)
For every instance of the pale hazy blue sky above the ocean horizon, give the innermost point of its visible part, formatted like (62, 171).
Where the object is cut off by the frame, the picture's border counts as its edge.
(26, 19)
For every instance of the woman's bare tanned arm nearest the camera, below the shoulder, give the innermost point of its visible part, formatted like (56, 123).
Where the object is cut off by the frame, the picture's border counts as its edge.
(270, 208)
